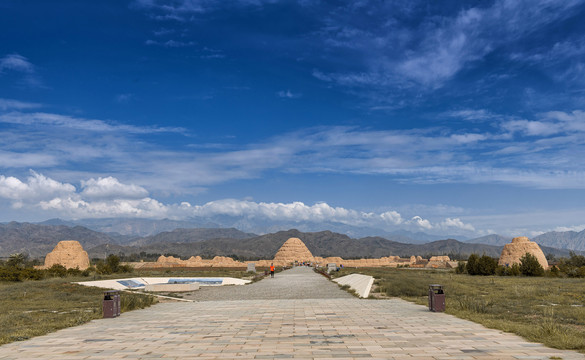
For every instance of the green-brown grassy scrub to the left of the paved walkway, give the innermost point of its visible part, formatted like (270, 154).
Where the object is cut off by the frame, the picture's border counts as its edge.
(33, 308)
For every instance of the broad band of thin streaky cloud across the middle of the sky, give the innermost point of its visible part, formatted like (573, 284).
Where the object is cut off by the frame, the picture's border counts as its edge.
(545, 152)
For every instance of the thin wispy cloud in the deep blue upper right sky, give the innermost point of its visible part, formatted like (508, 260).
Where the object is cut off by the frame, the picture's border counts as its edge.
(427, 55)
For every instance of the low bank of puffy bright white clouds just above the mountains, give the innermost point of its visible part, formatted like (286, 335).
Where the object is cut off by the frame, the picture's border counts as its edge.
(107, 197)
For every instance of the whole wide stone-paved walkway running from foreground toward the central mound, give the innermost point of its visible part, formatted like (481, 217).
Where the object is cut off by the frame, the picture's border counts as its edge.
(257, 323)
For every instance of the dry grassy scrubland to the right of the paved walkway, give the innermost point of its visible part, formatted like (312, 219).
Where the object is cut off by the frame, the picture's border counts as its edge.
(542, 309)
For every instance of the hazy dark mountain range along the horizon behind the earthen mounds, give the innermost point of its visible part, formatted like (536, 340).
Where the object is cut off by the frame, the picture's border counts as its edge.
(39, 239)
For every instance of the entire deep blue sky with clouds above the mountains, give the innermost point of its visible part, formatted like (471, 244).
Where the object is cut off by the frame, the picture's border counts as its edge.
(446, 117)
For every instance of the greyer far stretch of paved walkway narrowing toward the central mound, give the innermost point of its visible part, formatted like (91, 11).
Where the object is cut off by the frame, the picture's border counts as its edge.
(296, 283)
